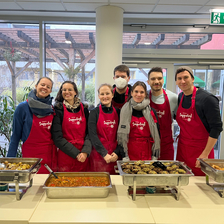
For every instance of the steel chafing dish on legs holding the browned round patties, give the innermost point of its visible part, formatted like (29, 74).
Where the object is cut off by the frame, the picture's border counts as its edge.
(161, 180)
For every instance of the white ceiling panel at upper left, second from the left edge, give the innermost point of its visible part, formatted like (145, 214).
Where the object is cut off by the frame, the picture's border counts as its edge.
(41, 6)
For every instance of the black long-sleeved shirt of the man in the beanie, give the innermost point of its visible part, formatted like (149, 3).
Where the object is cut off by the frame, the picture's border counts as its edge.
(207, 108)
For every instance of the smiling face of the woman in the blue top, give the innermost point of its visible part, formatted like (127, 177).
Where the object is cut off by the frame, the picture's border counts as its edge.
(43, 88)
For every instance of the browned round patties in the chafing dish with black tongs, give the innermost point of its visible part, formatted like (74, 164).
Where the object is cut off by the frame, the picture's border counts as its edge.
(140, 167)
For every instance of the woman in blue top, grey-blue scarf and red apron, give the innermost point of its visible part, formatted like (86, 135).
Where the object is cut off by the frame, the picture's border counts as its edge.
(32, 124)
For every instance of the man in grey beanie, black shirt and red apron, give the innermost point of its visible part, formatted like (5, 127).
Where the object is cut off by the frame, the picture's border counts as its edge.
(198, 116)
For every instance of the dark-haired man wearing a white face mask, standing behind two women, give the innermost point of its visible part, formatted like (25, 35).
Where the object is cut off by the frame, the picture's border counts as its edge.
(121, 89)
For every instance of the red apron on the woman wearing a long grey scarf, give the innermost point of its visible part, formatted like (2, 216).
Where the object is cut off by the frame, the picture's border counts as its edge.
(140, 140)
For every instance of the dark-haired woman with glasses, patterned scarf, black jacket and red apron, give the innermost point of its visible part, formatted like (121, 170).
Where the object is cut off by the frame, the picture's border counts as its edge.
(69, 130)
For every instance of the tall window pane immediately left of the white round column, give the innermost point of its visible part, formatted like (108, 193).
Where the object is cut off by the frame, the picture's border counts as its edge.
(70, 55)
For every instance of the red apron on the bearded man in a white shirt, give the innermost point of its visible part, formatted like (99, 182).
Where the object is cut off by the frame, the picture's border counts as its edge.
(165, 124)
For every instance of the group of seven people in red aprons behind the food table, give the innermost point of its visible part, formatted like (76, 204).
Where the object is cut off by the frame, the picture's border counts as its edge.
(129, 123)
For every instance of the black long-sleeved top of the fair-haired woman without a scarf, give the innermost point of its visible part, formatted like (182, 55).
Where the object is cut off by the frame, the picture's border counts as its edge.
(93, 119)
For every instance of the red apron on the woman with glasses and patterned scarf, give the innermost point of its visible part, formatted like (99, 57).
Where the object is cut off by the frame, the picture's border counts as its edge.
(74, 131)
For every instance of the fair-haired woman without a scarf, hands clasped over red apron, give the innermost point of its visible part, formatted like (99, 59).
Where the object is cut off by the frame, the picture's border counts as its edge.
(103, 124)
